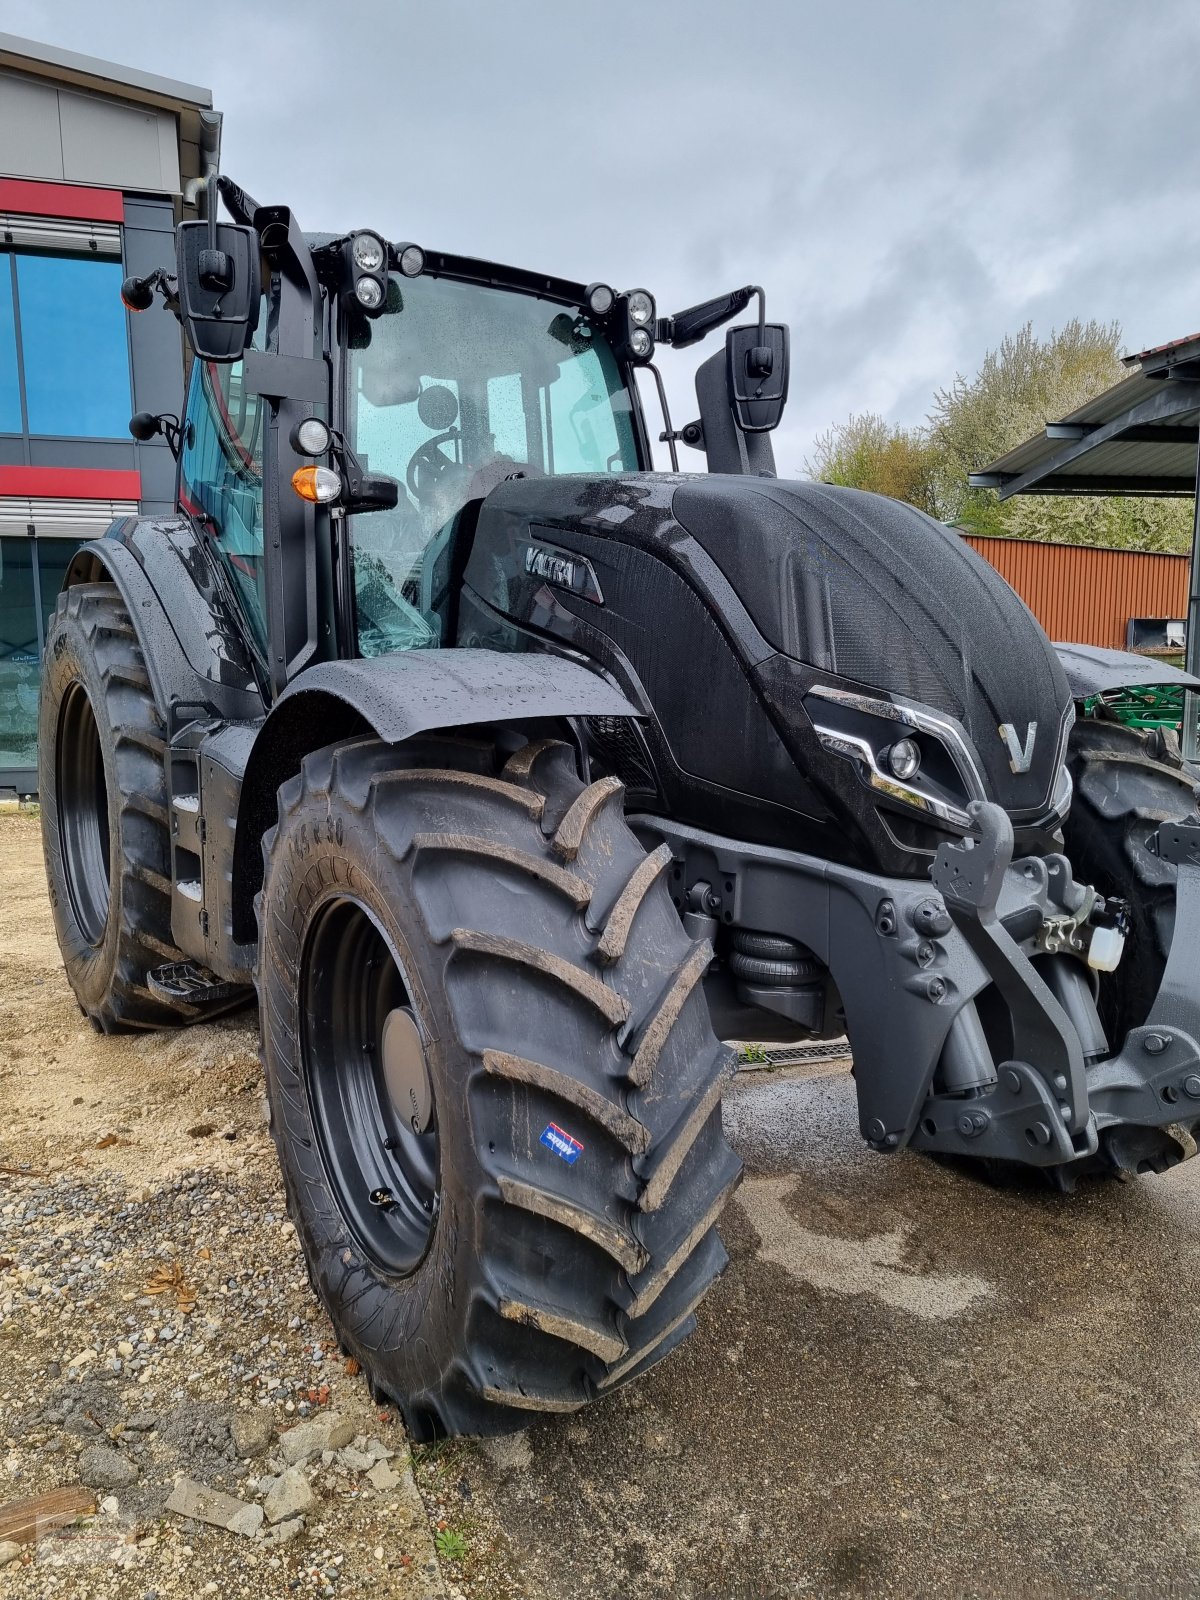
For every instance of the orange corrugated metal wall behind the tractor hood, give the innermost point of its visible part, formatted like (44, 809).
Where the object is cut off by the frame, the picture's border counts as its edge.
(1084, 596)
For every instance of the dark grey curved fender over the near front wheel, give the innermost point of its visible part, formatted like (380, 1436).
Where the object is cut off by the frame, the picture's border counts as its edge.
(398, 698)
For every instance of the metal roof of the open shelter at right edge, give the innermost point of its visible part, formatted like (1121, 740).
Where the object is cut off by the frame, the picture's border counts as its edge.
(1138, 438)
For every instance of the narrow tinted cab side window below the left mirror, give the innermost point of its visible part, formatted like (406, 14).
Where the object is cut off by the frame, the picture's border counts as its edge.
(222, 479)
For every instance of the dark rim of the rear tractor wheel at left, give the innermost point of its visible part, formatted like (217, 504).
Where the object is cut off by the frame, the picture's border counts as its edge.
(84, 814)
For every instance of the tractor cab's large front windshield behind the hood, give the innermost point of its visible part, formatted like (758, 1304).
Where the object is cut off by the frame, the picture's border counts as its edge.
(460, 388)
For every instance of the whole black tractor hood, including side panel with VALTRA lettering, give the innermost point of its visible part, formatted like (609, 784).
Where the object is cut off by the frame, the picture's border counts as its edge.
(705, 580)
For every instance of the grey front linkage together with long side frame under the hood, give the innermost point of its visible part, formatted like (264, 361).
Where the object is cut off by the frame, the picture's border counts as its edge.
(970, 999)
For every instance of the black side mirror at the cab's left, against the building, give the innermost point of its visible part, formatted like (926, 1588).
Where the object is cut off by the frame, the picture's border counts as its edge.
(220, 287)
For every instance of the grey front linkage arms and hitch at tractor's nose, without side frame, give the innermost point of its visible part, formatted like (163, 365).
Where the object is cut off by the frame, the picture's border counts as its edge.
(1062, 1098)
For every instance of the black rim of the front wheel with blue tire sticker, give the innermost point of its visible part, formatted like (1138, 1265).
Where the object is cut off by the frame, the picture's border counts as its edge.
(383, 1174)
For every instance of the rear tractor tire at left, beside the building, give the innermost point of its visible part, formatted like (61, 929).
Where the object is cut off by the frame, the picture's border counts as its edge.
(103, 794)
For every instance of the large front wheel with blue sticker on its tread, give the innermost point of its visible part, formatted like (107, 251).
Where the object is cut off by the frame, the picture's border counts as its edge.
(561, 1004)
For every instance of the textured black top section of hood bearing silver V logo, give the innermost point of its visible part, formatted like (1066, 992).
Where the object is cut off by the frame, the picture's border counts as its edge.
(874, 591)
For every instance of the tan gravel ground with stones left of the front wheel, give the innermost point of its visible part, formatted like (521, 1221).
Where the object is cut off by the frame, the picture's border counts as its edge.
(158, 1326)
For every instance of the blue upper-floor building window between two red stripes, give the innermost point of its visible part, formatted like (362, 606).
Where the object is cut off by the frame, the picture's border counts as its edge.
(65, 353)
